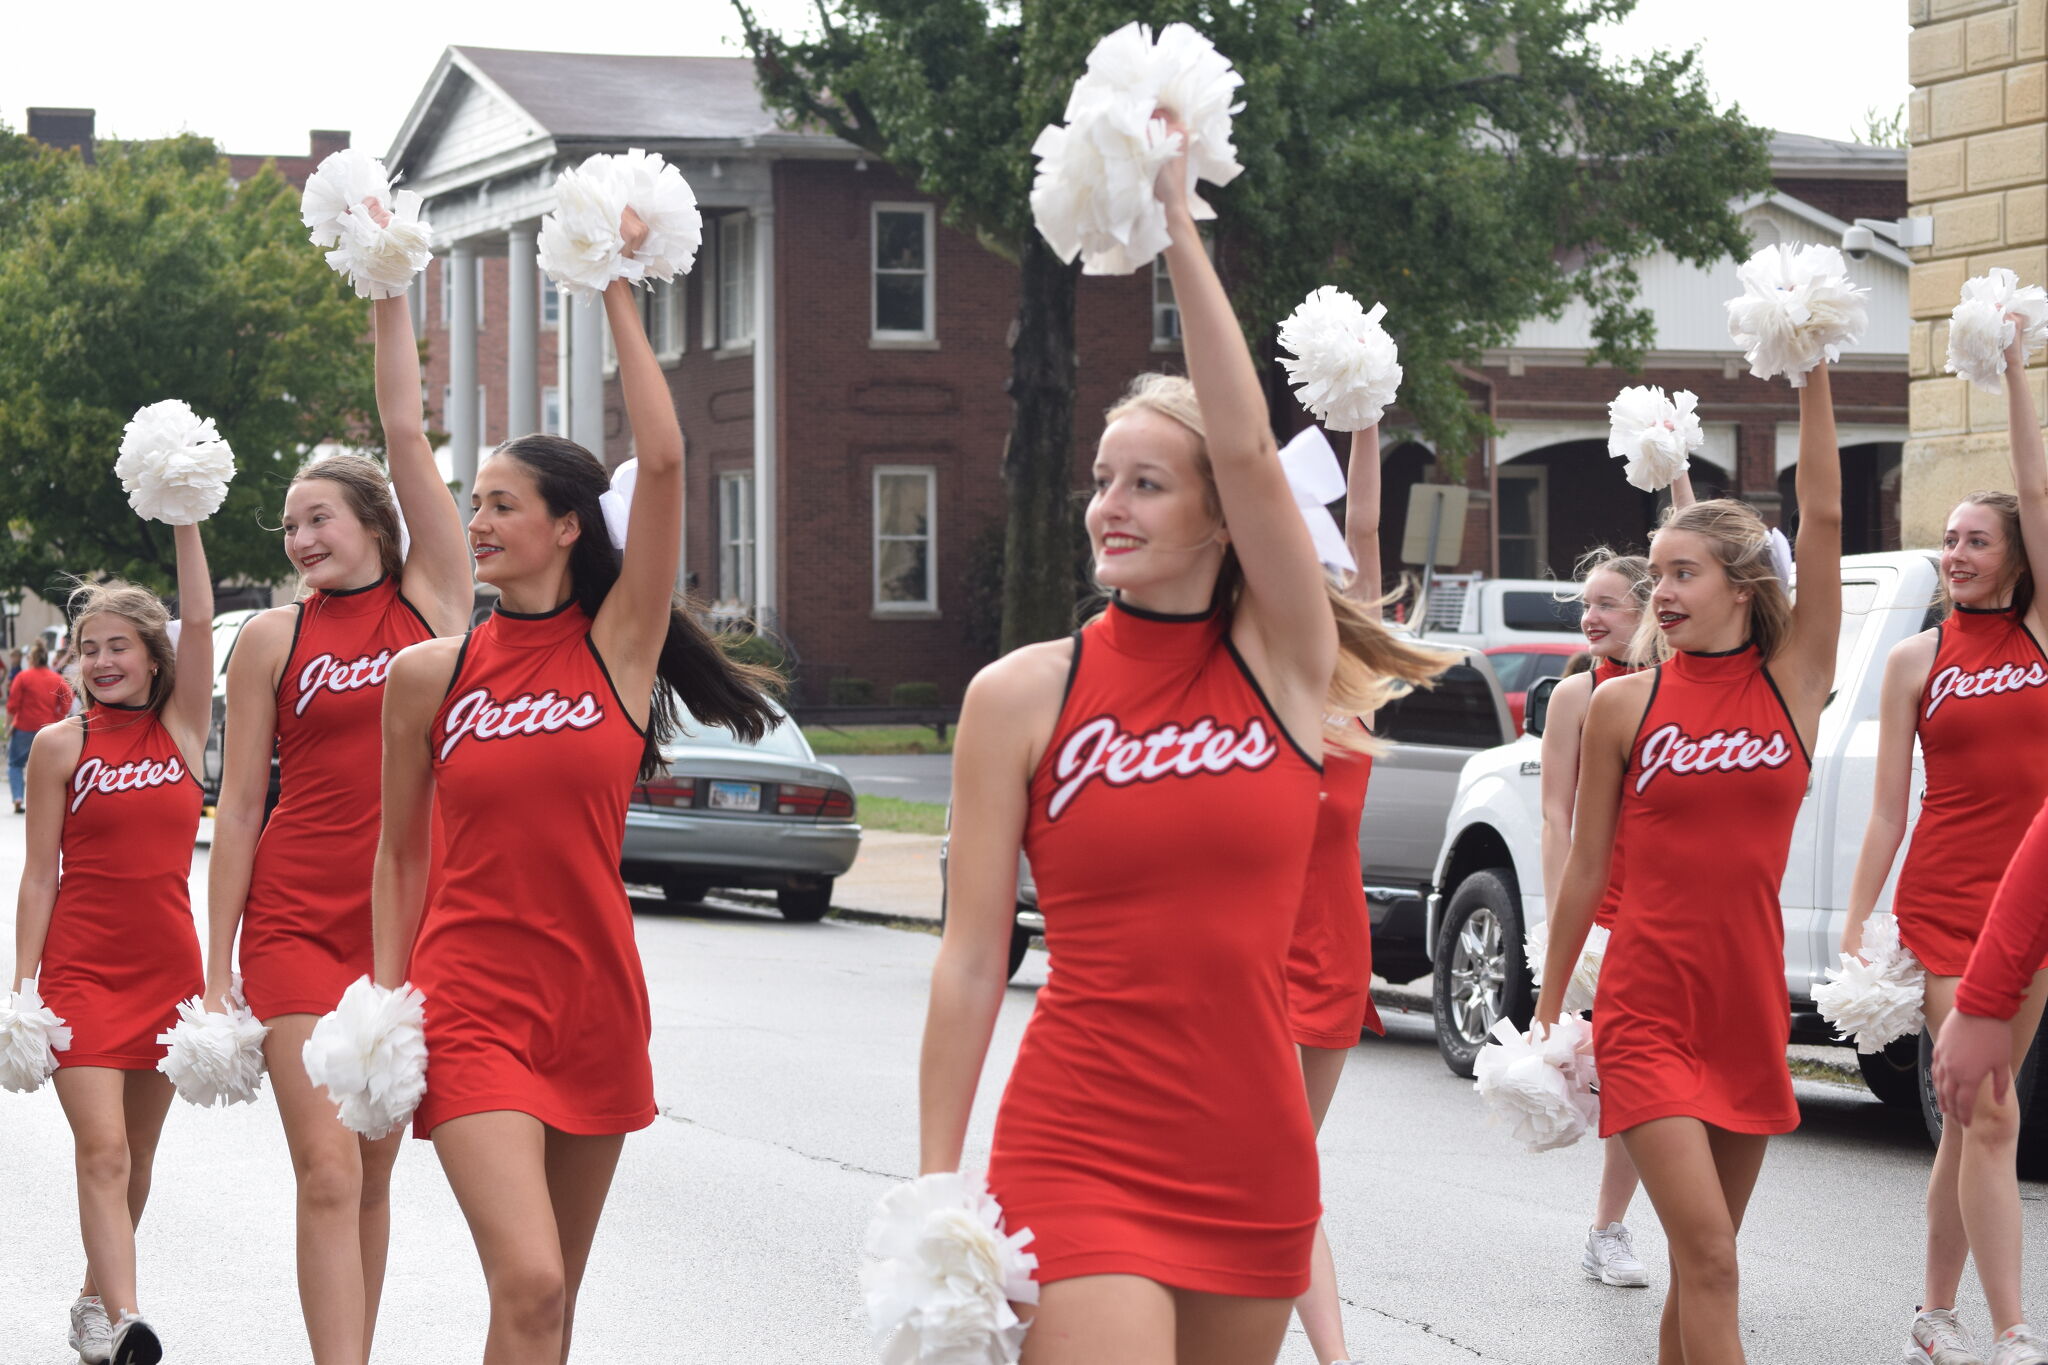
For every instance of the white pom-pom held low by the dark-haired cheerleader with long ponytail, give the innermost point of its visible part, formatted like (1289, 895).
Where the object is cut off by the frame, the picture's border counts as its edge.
(370, 1055)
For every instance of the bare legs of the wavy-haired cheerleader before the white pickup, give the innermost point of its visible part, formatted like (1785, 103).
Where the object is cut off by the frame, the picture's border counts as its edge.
(1699, 1180)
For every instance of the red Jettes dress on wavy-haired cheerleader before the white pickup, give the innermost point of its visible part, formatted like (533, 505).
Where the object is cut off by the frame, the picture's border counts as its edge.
(1693, 994)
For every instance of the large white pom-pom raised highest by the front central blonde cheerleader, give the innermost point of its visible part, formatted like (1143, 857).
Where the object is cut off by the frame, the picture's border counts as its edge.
(1095, 195)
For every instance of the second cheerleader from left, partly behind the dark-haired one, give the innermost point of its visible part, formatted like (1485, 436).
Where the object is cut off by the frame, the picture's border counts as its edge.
(306, 682)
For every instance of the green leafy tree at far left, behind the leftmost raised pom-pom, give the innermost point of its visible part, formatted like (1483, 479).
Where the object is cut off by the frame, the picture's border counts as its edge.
(151, 277)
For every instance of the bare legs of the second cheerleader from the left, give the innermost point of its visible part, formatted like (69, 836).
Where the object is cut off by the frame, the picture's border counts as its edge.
(345, 1213)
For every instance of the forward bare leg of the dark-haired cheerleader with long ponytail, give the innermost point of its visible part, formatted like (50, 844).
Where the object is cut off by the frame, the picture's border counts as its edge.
(499, 1168)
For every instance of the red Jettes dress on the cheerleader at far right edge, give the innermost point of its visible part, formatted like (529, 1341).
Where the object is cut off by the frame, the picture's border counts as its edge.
(1983, 730)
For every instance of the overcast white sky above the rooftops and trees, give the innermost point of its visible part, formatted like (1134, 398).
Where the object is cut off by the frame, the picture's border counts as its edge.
(257, 77)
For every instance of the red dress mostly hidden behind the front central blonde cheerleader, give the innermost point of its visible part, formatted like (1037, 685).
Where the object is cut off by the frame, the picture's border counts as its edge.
(1330, 959)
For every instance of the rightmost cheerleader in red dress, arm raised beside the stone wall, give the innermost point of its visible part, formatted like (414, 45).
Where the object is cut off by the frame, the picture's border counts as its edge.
(1975, 695)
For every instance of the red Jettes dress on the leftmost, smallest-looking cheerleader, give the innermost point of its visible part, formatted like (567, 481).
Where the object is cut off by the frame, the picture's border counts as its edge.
(122, 946)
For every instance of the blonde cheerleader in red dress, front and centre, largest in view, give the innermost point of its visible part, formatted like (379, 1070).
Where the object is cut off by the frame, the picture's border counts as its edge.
(1162, 773)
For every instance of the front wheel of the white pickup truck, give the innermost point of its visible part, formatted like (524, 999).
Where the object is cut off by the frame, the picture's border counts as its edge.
(1480, 977)
